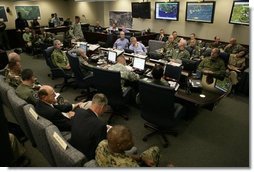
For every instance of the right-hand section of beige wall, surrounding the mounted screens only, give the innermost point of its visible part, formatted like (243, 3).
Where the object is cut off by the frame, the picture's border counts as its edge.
(220, 26)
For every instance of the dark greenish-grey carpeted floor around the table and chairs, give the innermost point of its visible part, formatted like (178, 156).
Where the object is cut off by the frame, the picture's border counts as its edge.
(218, 138)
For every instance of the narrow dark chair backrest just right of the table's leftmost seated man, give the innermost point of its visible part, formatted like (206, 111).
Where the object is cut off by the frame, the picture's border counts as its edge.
(75, 66)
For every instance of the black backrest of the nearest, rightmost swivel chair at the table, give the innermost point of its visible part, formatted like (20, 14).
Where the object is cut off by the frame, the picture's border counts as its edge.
(157, 103)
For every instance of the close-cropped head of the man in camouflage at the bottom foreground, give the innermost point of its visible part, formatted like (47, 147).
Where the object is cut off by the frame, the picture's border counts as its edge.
(119, 139)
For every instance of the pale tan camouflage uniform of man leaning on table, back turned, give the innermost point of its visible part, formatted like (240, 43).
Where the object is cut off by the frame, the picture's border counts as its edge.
(125, 74)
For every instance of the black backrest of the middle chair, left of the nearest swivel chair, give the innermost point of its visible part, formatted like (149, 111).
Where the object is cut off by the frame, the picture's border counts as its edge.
(109, 83)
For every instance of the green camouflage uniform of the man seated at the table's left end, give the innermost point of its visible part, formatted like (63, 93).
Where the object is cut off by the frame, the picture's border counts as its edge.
(59, 59)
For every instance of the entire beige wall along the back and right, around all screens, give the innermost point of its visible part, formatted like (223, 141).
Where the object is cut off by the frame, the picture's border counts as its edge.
(100, 11)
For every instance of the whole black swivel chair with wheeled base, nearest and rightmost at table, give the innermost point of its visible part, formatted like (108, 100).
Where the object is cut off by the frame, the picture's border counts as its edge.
(159, 110)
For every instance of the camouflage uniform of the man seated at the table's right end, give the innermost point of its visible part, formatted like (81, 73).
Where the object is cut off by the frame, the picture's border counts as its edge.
(217, 66)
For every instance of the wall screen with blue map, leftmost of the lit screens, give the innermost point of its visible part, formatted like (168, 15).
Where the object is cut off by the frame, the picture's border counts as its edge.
(167, 10)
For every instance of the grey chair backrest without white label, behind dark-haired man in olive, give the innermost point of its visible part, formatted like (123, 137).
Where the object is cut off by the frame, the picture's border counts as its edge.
(17, 105)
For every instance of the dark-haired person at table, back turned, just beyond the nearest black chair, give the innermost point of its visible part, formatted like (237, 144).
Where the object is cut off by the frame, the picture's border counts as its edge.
(157, 74)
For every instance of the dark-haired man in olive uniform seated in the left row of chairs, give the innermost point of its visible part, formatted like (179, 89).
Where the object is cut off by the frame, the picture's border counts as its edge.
(27, 90)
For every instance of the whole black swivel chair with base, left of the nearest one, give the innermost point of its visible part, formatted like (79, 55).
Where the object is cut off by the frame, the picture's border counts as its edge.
(109, 83)
